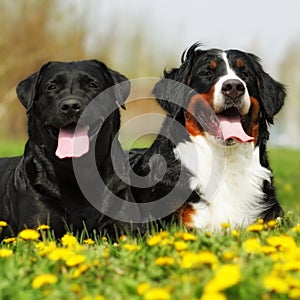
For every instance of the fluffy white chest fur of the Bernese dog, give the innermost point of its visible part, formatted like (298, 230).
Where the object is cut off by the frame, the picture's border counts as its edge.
(229, 180)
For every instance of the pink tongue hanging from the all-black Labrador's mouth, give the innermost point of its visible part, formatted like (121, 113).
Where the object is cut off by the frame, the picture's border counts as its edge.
(72, 143)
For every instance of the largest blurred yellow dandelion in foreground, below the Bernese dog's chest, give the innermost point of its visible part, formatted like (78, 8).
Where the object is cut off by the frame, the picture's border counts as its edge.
(225, 277)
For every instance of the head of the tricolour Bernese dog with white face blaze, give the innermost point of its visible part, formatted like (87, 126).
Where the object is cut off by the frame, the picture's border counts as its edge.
(231, 91)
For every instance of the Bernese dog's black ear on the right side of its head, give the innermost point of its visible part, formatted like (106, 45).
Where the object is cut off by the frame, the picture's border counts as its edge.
(272, 93)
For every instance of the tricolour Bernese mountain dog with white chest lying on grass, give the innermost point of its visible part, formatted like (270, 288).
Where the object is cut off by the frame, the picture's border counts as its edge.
(213, 142)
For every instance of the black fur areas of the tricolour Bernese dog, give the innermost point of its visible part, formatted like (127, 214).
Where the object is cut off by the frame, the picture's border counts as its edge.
(193, 73)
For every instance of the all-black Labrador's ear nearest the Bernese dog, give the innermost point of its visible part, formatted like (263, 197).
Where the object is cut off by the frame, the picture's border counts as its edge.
(122, 90)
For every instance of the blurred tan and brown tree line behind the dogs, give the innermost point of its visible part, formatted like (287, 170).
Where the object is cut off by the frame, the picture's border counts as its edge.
(34, 32)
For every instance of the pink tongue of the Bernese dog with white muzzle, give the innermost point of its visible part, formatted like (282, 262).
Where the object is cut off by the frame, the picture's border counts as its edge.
(231, 127)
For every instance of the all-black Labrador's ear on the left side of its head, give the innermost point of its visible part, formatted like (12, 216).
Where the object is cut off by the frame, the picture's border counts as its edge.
(26, 90)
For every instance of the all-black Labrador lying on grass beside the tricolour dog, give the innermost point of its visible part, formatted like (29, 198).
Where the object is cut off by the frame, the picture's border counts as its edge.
(41, 186)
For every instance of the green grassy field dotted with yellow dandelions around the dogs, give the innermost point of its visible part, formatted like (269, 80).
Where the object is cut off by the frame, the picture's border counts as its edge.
(261, 262)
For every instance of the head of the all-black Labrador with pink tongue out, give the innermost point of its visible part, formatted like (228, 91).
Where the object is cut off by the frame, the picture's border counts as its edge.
(56, 96)
